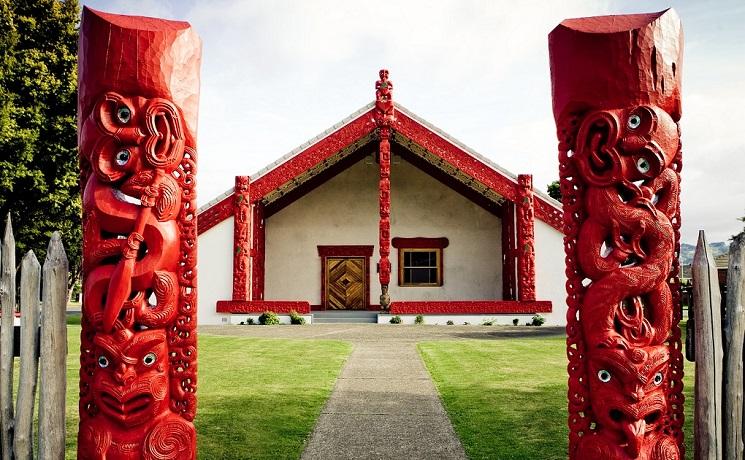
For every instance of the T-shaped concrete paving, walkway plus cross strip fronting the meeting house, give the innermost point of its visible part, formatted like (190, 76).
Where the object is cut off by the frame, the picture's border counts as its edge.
(384, 404)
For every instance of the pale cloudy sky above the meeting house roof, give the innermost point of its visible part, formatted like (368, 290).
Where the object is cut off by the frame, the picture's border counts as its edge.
(277, 73)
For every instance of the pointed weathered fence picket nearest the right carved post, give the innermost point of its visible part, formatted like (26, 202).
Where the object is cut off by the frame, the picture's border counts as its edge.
(708, 338)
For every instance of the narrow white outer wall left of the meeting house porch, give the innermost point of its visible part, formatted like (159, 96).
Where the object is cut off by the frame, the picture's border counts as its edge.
(215, 271)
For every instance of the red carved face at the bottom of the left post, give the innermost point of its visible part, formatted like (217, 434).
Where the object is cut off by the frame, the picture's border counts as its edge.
(130, 383)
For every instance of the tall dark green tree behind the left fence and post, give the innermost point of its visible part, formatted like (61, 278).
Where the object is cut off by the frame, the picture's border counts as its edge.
(38, 133)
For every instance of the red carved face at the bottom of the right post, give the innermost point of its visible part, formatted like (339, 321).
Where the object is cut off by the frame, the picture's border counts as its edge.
(628, 394)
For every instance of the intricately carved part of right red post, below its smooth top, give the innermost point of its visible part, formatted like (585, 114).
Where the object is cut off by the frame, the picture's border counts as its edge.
(621, 198)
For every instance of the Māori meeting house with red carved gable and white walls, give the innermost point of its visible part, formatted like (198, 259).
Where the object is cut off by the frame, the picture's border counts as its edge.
(384, 213)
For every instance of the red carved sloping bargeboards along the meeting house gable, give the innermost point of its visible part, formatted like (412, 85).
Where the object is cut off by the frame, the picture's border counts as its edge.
(363, 126)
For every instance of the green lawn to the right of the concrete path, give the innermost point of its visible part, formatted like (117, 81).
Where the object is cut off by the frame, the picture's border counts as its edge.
(507, 398)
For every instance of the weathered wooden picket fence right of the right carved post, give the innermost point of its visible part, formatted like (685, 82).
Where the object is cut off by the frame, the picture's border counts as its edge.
(719, 334)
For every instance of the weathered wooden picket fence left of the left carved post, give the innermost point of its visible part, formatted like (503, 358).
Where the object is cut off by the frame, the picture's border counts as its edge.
(43, 344)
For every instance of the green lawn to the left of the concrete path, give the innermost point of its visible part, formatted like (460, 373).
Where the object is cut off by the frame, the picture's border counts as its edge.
(257, 398)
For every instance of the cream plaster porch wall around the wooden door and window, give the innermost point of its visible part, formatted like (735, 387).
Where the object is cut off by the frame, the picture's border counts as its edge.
(344, 211)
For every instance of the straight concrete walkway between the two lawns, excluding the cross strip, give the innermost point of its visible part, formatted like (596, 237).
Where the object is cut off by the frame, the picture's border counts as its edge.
(384, 406)
